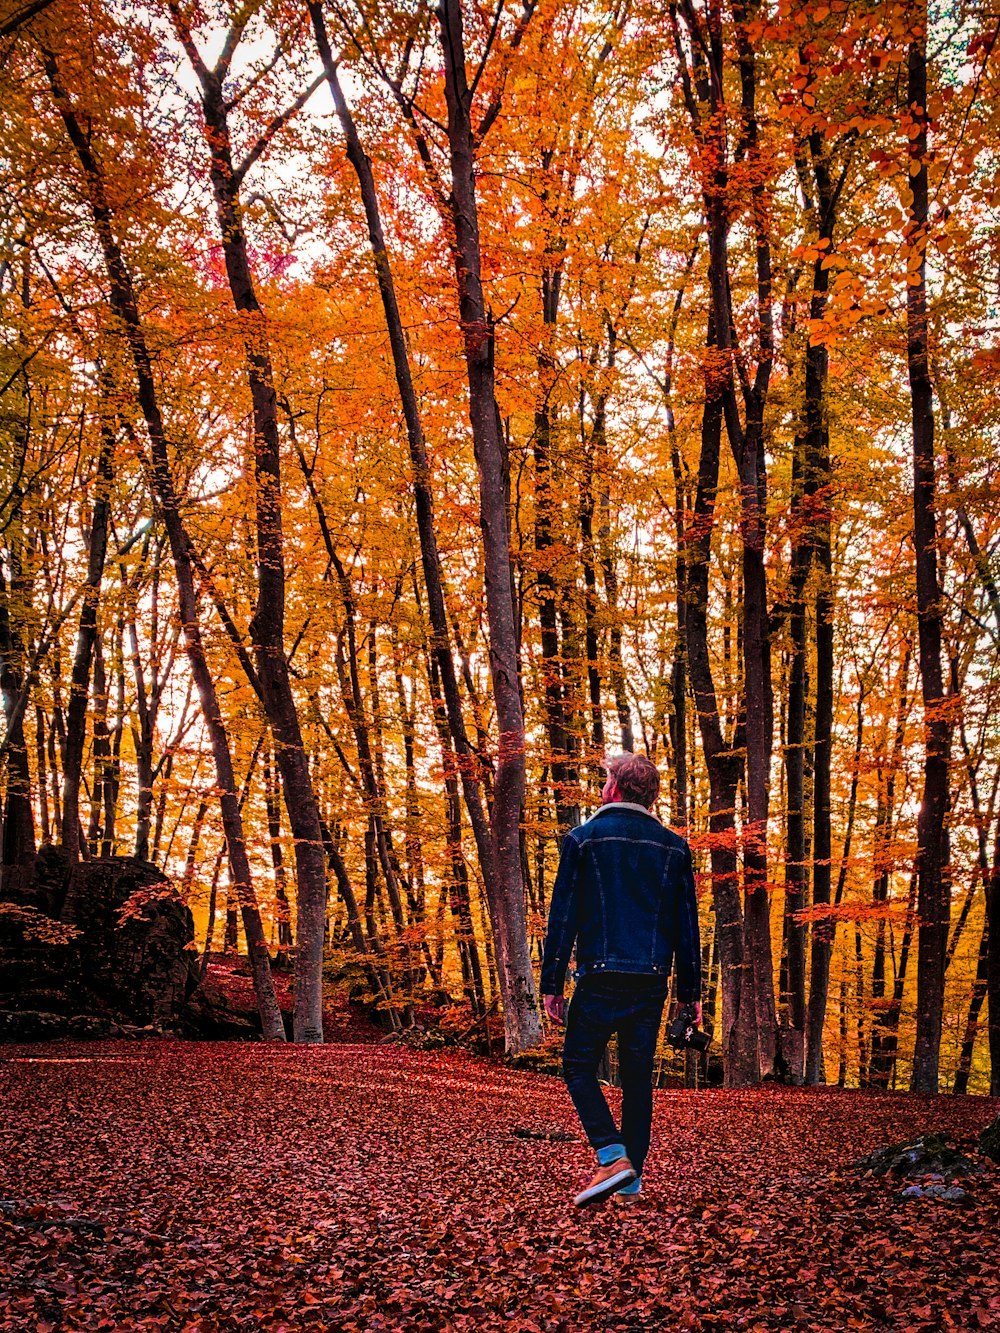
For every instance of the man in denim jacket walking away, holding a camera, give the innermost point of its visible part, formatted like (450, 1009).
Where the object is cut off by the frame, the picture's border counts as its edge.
(626, 896)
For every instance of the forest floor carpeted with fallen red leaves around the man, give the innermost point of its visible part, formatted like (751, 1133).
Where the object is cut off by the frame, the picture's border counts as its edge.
(217, 1187)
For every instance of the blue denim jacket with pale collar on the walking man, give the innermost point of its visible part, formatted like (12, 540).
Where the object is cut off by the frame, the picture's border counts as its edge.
(626, 896)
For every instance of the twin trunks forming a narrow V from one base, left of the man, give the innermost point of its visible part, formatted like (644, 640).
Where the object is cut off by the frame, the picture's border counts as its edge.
(499, 848)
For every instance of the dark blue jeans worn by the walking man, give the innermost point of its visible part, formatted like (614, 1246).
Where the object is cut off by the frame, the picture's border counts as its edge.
(631, 1007)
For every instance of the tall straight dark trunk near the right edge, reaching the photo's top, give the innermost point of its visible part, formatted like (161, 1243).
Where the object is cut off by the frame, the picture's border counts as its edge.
(934, 888)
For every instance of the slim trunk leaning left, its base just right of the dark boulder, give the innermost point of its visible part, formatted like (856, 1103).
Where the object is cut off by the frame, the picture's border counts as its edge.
(123, 305)
